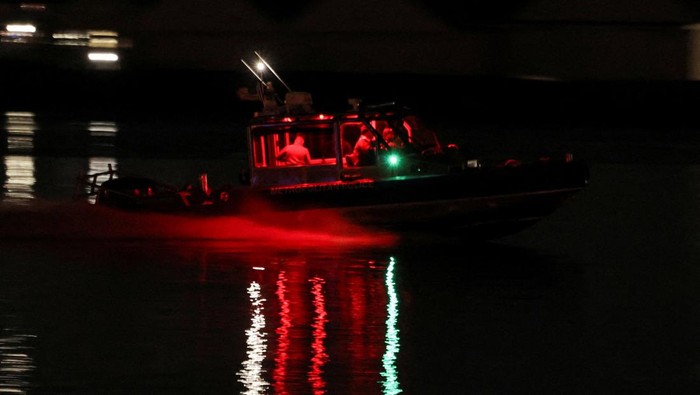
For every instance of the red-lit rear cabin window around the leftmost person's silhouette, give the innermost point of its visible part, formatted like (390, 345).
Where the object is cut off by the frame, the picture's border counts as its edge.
(268, 141)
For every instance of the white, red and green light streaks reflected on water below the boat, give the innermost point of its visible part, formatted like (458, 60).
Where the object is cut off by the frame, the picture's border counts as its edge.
(294, 327)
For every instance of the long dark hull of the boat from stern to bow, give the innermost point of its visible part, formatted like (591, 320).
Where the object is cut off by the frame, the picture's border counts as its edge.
(484, 203)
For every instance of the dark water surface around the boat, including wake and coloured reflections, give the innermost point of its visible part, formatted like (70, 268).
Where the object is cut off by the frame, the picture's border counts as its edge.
(601, 297)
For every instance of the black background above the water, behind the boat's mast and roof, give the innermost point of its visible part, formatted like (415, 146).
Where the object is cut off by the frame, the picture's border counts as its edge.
(510, 64)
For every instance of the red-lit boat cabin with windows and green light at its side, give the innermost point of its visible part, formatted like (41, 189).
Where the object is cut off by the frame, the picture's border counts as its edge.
(331, 141)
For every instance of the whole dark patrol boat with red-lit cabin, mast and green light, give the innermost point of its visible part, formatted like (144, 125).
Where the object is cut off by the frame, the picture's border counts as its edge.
(411, 182)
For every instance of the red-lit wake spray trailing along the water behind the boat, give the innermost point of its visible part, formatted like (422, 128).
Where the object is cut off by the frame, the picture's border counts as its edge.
(83, 221)
